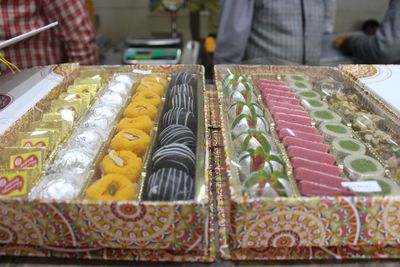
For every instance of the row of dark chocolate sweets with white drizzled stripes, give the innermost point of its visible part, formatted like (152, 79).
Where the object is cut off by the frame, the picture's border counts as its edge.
(173, 163)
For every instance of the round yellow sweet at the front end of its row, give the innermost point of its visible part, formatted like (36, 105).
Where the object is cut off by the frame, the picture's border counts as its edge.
(112, 187)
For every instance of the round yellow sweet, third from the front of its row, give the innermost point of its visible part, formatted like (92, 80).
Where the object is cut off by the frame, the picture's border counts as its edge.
(133, 140)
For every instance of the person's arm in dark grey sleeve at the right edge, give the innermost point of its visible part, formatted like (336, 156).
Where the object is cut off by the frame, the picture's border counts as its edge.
(384, 46)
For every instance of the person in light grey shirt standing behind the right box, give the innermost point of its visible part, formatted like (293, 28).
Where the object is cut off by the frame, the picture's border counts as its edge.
(271, 32)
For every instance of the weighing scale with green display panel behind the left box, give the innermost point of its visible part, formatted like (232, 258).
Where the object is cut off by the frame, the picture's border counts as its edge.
(156, 48)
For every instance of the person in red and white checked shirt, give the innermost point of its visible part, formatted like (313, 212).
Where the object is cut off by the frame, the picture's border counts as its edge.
(71, 41)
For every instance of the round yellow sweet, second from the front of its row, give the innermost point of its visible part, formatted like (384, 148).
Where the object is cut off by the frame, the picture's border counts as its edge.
(132, 165)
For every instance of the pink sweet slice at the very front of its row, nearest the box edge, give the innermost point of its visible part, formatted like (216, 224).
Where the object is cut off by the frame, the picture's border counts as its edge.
(310, 189)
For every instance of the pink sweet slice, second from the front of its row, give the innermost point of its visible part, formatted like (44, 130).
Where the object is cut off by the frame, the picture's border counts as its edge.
(319, 177)
